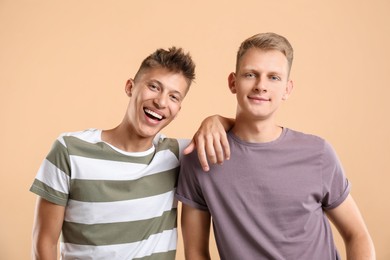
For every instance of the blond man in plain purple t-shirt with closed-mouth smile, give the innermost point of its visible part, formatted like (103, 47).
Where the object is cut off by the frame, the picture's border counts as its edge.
(275, 196)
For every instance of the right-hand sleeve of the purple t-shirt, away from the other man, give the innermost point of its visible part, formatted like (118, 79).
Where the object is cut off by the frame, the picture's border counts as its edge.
(336, 185)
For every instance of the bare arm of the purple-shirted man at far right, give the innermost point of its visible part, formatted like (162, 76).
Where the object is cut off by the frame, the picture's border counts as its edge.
(349, 222)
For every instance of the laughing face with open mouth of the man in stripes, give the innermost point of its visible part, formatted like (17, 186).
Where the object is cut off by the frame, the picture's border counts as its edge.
(155, 100)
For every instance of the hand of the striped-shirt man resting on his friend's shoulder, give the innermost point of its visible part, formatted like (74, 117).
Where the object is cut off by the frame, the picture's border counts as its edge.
(210, 141)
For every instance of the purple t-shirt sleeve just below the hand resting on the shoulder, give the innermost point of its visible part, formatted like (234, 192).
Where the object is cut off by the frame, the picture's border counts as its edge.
(188, 189)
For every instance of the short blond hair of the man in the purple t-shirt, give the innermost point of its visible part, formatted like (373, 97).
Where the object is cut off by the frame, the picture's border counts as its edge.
(267, 41)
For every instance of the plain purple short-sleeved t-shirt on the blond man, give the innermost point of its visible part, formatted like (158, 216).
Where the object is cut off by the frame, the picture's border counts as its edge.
(269, 200)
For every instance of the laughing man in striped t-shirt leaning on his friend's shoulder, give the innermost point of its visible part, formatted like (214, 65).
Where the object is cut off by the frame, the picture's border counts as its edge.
(110, 193)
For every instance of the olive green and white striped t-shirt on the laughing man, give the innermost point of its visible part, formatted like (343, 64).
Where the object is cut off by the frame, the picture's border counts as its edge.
(119, 205)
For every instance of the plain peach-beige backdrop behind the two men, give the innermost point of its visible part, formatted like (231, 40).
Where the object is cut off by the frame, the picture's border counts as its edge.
(63, 66)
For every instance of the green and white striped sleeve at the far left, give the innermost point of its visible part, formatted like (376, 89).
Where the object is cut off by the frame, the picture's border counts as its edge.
(52, 181)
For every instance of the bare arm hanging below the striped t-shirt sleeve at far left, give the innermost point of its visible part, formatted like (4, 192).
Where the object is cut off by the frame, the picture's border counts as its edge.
(46, 229)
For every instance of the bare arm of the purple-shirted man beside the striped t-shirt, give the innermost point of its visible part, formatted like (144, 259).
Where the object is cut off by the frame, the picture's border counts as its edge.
(196, 233)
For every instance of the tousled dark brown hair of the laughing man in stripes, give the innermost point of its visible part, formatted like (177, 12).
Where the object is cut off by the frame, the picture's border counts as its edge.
(173, 59)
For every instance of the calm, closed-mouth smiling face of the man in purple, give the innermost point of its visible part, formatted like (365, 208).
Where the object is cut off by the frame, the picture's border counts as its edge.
(261, 83)
